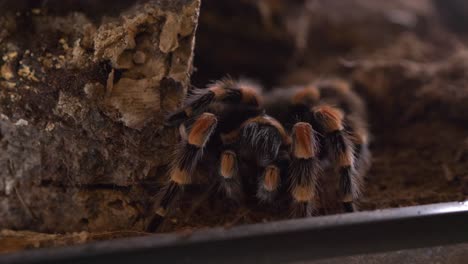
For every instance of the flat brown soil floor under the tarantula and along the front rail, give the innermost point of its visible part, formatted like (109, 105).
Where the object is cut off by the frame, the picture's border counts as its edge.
(410, 167)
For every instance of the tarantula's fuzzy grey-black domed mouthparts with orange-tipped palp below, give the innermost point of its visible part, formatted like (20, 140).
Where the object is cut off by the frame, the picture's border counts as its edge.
(268, 139)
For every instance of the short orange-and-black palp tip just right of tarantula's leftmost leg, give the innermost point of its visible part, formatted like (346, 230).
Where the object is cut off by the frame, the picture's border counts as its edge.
(229, 173)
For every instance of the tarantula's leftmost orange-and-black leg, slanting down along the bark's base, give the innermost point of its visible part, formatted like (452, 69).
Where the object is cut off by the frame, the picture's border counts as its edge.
(185, 161)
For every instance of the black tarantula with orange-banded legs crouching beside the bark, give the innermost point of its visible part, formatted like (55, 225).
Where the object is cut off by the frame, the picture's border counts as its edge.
(282, 141)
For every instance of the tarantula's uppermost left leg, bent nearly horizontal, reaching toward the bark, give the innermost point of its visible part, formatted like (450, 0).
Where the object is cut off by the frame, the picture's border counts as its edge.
(224, 91)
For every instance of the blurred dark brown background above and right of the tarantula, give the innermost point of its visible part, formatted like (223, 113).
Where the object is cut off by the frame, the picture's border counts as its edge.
(408, 59)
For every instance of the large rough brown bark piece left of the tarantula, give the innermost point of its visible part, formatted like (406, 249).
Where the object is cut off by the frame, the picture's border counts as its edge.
(81, 129)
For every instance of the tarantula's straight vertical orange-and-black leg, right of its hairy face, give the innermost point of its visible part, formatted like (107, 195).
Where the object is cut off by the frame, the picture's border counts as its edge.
(304, 170)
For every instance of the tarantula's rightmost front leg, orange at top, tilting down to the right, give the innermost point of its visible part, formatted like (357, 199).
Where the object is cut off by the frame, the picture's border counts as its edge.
(341, 151)
